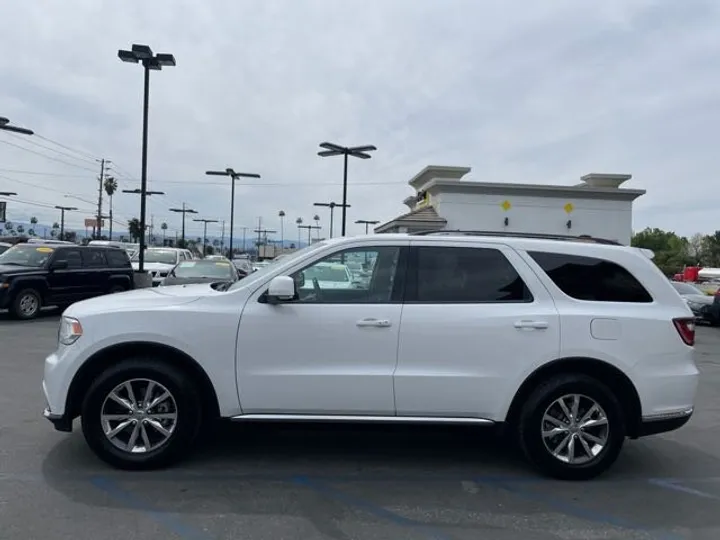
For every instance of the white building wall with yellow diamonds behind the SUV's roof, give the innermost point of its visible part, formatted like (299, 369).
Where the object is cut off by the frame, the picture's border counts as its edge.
(600, 218)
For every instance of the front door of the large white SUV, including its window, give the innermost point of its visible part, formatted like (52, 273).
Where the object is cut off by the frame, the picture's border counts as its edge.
(331, 351)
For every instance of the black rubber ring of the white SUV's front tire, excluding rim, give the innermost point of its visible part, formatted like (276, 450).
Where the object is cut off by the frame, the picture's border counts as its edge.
(188, 406)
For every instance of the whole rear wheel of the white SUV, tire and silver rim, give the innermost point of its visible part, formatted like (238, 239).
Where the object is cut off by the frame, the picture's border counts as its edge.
(544, 401)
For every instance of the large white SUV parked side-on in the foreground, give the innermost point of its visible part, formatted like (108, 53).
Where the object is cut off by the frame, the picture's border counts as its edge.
(573, 346)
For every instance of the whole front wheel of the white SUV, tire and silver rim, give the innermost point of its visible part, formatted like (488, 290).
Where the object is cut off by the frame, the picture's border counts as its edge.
(164, 450)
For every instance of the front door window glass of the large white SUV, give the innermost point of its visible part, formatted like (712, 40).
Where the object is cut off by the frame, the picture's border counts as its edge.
(366, 275)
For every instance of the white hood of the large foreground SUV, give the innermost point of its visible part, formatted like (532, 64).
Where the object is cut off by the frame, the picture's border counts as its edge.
(140, 300)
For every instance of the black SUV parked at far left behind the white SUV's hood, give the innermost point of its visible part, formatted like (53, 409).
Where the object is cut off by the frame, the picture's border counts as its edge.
(37, 275)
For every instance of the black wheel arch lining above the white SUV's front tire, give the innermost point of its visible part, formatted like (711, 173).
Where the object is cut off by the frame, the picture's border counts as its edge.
(105, 358)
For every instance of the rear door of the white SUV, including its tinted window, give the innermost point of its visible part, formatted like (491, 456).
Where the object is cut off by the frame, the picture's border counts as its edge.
(475, 319)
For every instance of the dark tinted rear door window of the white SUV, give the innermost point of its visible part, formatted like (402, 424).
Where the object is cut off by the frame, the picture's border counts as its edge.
(467, 275)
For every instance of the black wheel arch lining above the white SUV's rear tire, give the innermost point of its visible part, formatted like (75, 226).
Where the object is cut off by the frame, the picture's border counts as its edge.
(603, 371)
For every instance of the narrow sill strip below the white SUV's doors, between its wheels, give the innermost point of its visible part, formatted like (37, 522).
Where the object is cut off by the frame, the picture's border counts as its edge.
(360, 418)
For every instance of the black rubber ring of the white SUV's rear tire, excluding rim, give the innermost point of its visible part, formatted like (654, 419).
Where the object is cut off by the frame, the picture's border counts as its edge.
(530, 427)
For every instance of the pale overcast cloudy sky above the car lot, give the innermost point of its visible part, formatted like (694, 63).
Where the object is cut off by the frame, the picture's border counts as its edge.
(519, 90)
